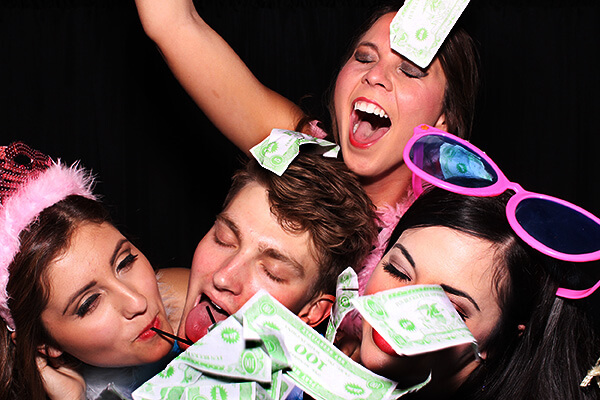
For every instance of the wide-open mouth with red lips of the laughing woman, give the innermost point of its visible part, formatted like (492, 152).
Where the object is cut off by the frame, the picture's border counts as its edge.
(369, 124)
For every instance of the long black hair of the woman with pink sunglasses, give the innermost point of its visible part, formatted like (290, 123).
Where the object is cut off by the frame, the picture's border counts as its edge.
(550, 356)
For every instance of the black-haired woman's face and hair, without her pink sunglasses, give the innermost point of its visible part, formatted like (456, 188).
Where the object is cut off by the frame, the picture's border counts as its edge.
(532, 343)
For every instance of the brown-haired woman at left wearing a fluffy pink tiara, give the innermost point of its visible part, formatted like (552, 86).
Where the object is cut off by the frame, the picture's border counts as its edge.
(74, 292)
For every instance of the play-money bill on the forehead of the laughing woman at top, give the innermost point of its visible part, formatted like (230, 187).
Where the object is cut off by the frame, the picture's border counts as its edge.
(420, 27)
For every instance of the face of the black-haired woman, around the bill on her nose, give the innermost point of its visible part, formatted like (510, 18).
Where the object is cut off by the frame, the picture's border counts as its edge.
(464, 266)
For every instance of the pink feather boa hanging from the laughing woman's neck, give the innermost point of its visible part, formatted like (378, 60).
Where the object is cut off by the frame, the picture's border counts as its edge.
(388, 217)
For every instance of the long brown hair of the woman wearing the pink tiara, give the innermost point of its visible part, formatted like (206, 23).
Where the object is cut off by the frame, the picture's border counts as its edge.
(43, 240)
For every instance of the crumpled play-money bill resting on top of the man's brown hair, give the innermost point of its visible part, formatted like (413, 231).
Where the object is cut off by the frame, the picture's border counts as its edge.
(277, 151)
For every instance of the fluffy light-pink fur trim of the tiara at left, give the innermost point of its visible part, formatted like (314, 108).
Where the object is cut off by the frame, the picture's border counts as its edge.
(22, 208)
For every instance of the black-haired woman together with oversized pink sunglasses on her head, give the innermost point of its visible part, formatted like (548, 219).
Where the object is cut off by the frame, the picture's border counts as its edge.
(501, 255)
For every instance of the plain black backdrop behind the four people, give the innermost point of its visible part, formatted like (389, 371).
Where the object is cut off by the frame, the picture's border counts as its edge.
(80, 80)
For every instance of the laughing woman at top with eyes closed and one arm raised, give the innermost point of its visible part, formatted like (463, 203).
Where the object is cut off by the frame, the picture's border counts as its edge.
(376, 100)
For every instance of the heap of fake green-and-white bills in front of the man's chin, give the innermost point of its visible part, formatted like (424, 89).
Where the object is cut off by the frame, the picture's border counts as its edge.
(260, 353)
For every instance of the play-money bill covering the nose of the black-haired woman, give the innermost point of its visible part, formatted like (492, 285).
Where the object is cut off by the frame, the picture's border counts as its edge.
(415, 319)
